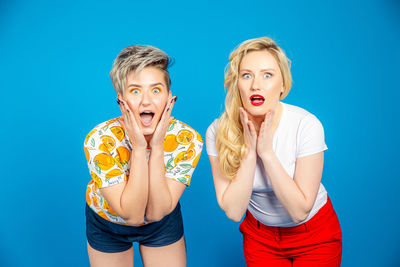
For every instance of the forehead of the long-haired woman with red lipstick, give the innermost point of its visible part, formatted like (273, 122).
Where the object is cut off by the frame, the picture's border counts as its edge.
(258, 60)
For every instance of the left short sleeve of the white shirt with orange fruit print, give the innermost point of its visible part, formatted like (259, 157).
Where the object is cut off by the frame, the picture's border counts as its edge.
(103, 167)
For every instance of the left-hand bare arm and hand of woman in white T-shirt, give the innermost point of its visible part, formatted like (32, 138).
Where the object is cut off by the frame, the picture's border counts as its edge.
(233, 196)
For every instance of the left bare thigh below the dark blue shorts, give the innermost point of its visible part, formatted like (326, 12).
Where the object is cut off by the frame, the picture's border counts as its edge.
(102, 259)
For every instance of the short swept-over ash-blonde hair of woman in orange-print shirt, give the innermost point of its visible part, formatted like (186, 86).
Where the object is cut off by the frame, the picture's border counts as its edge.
(136, 58)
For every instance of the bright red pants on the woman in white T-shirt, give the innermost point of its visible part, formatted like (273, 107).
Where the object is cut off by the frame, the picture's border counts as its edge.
(317, 242)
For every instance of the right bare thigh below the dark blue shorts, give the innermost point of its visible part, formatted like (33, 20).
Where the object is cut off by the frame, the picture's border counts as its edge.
(173, 255)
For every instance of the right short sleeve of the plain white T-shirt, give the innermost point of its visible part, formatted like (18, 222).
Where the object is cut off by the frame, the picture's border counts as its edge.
(310, 138)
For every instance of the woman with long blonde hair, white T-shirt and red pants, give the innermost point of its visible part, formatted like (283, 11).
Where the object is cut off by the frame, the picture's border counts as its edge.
(267, 159)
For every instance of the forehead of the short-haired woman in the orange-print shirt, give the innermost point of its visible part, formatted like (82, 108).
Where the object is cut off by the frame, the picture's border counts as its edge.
(147, 76)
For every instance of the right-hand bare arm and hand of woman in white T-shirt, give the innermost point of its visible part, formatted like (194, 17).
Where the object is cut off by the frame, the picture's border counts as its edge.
(296, 195)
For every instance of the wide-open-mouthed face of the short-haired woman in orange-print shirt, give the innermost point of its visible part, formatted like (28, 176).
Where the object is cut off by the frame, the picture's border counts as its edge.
(146, 94)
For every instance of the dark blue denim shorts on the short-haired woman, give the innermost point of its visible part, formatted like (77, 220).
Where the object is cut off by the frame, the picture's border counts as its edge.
(109, 237)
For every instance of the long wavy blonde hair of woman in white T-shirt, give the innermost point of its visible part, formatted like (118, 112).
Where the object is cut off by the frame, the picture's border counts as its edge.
(230, 140)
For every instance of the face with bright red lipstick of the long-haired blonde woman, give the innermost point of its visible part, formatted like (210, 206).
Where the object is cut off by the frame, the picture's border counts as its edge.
(260, 82)
